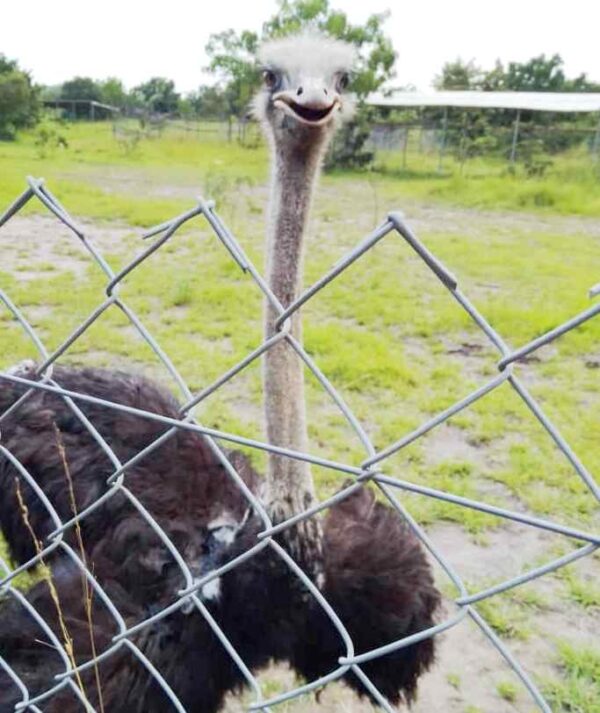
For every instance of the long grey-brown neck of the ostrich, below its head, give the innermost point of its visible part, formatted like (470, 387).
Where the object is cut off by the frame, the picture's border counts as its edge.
(294, 172)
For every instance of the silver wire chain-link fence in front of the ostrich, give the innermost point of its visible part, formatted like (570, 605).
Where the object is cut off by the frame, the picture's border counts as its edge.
(371, 470)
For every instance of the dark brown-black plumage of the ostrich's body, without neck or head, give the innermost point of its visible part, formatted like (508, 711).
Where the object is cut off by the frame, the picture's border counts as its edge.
(376, 575)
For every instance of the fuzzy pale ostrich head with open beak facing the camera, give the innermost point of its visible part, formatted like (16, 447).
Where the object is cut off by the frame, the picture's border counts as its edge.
(302, 100)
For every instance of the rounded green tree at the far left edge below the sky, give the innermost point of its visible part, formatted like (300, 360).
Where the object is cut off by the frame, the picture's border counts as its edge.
(19, 102)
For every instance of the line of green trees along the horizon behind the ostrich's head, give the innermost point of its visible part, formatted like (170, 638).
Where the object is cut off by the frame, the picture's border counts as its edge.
(231, 61)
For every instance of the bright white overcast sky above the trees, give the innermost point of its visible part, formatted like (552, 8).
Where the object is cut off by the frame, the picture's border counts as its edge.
(133, 40)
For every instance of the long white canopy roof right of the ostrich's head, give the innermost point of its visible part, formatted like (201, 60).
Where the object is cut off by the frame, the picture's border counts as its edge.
(535, 101)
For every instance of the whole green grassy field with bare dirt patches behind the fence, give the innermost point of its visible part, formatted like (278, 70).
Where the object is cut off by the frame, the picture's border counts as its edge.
(386, 333)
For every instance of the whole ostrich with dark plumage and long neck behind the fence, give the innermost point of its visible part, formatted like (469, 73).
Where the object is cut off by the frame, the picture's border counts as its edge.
(364, 559)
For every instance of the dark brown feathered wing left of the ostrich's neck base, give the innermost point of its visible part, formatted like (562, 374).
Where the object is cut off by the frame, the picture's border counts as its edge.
(182, 484)
